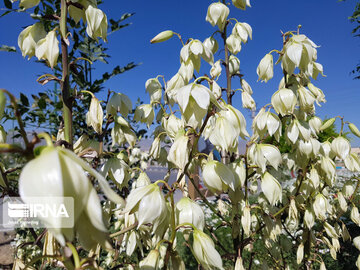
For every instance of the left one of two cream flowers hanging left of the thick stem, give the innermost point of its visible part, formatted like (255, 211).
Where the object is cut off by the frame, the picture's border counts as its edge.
(29, 37)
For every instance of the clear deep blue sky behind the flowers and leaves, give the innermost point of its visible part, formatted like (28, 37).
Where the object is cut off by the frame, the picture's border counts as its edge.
(323, 21)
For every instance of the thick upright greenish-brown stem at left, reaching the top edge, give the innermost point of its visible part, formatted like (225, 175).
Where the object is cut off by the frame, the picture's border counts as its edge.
(65, 85)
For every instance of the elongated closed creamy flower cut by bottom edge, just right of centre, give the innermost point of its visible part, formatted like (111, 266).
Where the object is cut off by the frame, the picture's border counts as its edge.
(205, 252)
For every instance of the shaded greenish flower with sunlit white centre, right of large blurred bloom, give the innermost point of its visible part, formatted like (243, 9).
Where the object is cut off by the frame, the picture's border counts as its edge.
(118, 171)
